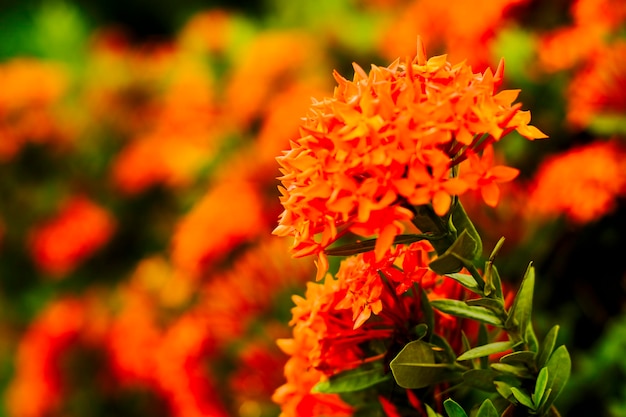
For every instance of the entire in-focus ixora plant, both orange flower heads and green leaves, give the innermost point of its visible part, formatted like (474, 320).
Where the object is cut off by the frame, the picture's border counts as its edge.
(415, 320)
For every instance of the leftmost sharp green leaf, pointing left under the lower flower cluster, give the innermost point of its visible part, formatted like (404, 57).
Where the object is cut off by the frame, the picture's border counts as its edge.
(353, 380)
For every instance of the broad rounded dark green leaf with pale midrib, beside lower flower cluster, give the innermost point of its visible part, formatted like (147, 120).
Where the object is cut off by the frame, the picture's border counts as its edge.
(415, 367)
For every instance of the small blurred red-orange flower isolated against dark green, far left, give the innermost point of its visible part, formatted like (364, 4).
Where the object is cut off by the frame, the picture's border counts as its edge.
(79, 229)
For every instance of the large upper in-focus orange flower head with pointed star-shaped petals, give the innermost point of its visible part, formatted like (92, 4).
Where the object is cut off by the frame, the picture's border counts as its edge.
(391, 139)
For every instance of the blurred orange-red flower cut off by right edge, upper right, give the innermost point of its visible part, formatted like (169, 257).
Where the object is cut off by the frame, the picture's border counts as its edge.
(596, 90)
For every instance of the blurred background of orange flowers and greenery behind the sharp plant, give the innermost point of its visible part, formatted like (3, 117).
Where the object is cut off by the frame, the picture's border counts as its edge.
(138, 191)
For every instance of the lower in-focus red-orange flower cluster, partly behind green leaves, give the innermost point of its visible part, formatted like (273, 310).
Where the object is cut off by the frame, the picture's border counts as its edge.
(334, 329)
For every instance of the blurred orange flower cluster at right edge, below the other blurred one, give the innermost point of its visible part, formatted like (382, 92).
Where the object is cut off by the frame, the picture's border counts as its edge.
(582, 183)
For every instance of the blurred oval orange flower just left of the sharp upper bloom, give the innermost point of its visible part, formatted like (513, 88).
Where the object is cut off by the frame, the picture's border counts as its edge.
(229, 215)
